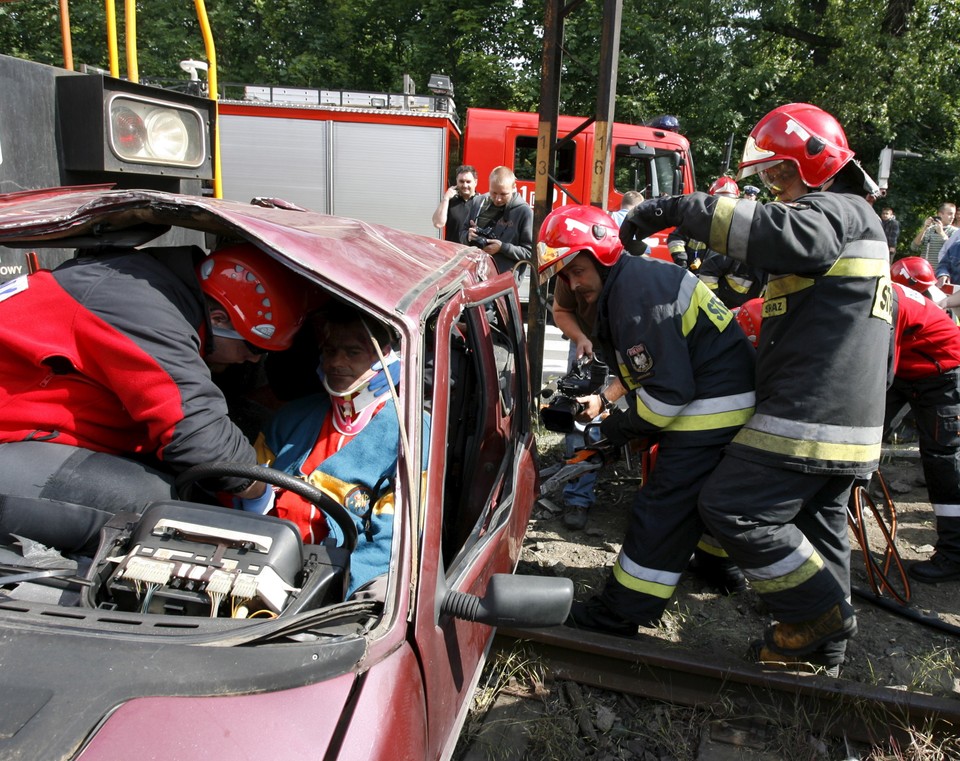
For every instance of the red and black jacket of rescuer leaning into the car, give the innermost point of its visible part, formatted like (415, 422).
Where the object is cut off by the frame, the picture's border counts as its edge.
(105, 354)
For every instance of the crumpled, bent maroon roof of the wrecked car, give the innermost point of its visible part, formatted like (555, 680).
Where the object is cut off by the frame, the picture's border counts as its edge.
(390, 270)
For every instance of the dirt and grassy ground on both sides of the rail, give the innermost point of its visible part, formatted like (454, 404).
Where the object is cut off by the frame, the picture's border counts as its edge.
(521, 714)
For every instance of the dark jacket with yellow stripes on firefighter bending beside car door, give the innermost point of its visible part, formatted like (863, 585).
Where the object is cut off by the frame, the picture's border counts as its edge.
(688, 368)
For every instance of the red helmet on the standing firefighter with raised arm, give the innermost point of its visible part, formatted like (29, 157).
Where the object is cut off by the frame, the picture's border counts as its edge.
(798, 132)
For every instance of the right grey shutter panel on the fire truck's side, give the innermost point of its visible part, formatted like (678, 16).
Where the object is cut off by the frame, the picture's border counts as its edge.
(388, 174)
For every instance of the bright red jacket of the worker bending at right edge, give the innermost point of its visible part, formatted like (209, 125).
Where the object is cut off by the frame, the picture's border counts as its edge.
(927, 341)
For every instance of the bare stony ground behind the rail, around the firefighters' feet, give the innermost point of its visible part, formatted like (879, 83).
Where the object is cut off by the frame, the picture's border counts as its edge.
(890, 649)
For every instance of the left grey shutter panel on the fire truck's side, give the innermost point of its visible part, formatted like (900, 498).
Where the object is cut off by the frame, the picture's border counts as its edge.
(276, 158)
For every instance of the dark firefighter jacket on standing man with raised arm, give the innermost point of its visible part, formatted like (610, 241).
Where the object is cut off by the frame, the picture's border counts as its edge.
(822, 356)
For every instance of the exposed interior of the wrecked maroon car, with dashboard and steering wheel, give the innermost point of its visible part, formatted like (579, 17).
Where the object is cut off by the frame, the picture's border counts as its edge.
(191, 558)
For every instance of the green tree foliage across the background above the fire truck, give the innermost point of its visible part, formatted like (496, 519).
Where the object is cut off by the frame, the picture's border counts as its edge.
(888, 69)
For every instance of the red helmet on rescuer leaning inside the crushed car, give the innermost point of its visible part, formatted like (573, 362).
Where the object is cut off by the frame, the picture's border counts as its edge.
(266, 302)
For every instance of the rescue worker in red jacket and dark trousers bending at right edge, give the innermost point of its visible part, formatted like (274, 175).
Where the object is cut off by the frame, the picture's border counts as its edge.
(927, 377)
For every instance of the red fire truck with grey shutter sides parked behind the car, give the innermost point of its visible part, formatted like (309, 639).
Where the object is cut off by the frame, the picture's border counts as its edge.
(386, 158)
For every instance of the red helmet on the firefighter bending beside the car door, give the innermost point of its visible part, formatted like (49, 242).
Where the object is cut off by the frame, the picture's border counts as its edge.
(571, 229)
